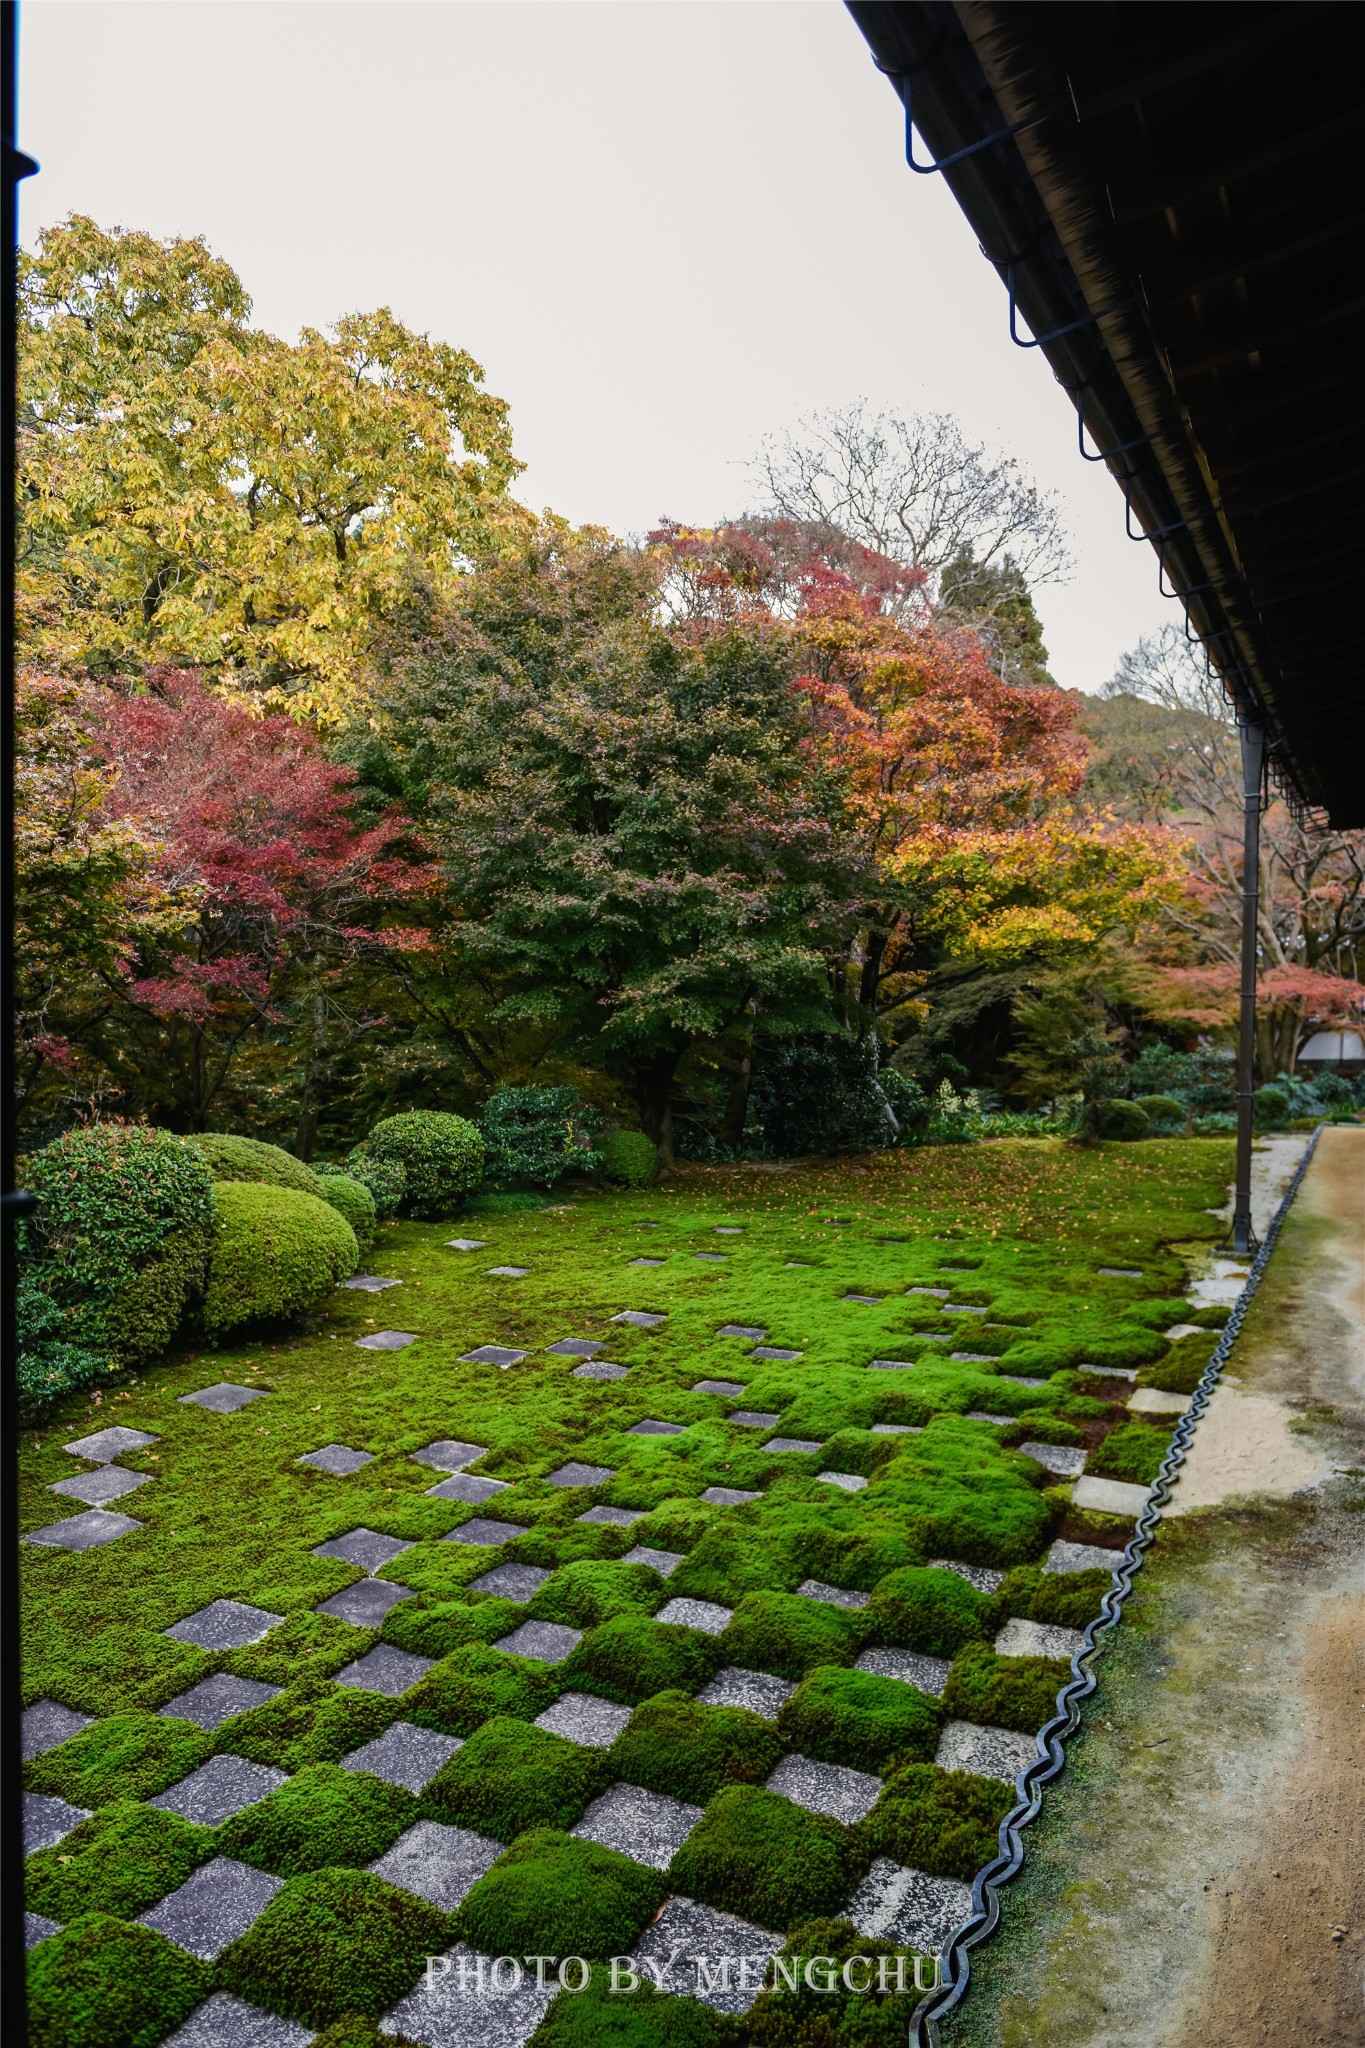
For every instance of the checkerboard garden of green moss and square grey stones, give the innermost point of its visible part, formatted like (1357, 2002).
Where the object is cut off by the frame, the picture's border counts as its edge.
(504, 1674)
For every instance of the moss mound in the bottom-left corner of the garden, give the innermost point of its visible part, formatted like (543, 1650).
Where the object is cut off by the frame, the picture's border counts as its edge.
(107, 1983)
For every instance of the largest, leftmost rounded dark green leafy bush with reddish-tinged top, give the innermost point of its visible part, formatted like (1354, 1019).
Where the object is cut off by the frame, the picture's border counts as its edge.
(114, 1256)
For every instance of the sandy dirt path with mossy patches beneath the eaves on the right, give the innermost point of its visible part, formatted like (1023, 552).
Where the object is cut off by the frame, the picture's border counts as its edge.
(1198, 1879)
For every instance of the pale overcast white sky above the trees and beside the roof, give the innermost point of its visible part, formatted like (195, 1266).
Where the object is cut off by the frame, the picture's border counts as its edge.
(664, 226)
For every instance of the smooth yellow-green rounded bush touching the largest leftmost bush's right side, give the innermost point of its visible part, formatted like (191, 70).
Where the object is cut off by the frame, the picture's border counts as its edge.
(277, 1254)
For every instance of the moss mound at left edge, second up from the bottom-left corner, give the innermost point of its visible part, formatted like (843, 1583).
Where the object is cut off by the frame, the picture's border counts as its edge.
(120, 1861)
